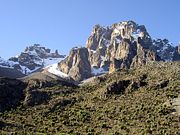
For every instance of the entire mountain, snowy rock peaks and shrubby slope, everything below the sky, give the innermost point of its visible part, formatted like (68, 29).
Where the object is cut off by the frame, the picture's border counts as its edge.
(122, 82)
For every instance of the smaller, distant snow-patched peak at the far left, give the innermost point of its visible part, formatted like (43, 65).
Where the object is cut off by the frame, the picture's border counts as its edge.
(32, 59)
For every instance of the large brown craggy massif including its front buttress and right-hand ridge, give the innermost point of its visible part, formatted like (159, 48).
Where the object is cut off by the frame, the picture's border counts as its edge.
(122, 45)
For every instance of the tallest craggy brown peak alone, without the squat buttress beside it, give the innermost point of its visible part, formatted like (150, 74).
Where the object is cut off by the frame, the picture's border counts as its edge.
(123, 45)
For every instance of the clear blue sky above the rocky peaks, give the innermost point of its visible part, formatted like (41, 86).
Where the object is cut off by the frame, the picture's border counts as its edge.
(62, 24)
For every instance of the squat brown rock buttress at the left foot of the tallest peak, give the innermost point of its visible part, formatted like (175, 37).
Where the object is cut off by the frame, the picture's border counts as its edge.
(76, 64)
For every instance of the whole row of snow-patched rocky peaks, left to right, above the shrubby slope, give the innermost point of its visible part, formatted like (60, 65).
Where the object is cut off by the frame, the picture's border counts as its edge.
(122, 45)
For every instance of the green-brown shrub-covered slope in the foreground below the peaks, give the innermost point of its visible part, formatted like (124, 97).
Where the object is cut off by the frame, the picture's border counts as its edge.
(135, 101)
